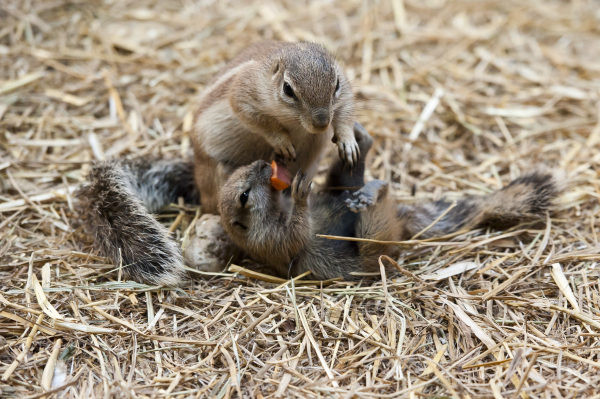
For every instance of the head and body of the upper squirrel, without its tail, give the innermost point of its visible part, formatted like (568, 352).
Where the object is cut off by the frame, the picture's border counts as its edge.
(245, 115)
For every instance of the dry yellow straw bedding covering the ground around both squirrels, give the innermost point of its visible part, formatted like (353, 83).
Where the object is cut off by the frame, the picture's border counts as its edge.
(460, 96)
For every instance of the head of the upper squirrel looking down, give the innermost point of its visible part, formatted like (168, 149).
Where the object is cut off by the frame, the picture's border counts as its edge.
(310, 85)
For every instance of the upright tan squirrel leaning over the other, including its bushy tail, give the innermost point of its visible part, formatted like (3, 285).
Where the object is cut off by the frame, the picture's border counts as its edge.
(284, 100)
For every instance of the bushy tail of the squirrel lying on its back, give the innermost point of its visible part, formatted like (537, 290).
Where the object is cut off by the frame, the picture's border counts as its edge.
(524, 199)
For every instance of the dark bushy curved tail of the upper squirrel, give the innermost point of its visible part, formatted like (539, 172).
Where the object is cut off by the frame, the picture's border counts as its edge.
(115, 205)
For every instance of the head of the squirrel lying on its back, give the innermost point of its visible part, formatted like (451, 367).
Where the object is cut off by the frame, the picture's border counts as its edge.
(245, 196)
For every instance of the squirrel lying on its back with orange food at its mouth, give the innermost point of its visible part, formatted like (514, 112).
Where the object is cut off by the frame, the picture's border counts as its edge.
(281, 232)
